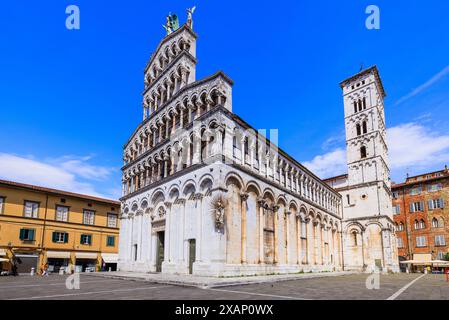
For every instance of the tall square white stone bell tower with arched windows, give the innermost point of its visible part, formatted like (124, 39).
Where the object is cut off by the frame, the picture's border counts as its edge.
(370, 242)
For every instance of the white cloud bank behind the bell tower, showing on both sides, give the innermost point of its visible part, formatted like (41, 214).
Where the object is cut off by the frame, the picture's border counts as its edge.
(412, 147)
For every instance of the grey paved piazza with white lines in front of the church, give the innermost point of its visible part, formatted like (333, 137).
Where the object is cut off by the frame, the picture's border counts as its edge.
(349, 287)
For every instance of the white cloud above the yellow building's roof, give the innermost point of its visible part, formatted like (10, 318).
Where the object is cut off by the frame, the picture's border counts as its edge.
(65, 173)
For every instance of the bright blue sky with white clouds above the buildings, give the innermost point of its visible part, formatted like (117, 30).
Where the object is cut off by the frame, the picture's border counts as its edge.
(69, 99)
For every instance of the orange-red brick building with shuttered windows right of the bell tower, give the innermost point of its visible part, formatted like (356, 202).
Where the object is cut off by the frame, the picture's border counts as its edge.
(421, 215)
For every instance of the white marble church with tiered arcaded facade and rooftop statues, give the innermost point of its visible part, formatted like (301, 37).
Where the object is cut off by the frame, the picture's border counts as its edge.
(204, 193)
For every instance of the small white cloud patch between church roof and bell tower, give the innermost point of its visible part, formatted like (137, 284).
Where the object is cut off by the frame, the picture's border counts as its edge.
(330, 164)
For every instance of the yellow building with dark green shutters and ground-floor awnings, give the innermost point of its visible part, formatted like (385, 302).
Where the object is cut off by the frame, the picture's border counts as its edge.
(65, 230)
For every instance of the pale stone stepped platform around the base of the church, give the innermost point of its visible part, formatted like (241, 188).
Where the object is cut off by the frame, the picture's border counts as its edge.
(212, 282)
